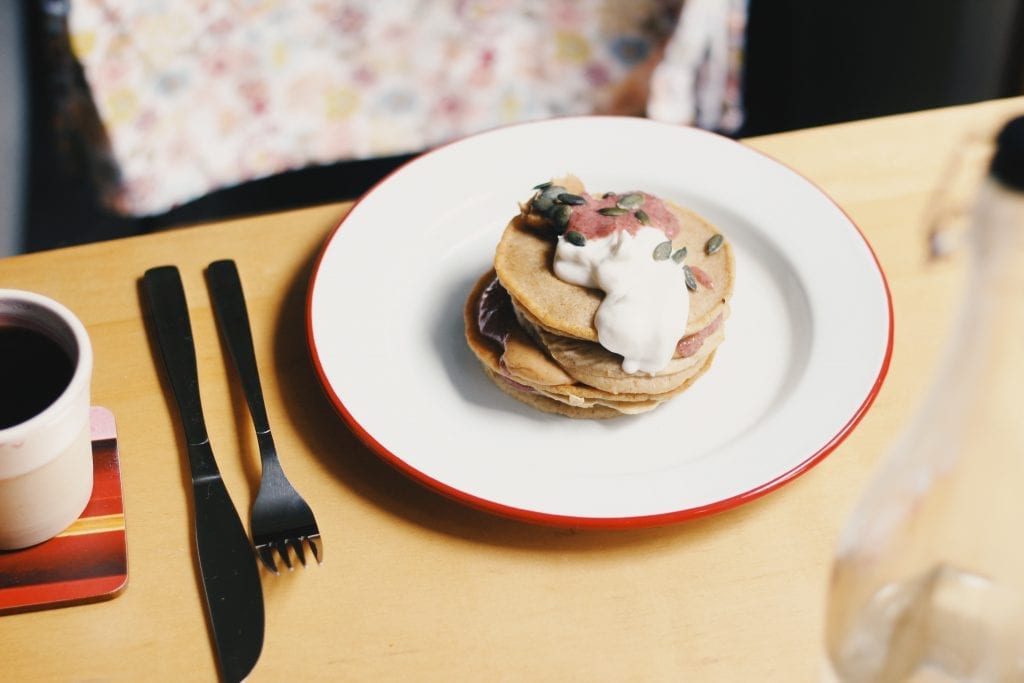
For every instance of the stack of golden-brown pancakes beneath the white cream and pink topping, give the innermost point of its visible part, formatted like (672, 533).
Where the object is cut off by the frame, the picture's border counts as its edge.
(536, 337)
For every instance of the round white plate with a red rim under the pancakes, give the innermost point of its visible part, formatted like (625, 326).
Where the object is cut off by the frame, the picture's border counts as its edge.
(807, 348)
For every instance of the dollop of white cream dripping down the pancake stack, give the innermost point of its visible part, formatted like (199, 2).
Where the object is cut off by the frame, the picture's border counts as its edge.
(647, 304)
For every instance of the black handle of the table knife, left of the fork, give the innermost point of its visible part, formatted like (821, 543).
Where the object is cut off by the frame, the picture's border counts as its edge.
(170, 316)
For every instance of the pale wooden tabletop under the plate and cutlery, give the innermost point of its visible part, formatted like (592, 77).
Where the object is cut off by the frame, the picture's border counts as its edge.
(416, 587)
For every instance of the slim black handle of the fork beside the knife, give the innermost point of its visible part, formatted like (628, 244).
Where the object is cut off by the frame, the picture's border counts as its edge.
(230, 305)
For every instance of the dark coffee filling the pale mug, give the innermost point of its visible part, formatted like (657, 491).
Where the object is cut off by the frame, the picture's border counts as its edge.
(34, 372)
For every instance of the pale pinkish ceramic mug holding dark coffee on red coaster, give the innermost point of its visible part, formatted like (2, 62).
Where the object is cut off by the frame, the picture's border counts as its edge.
(46, 449)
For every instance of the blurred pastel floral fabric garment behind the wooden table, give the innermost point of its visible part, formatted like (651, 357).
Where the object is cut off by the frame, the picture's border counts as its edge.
(199, 95)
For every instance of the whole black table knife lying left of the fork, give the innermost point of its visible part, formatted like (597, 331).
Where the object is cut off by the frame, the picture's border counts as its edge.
(228, 565)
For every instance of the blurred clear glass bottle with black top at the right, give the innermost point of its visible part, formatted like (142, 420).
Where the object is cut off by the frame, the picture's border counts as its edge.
(928, 583)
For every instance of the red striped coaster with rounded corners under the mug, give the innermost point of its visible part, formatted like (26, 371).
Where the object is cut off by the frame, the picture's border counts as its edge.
(88, 562)
